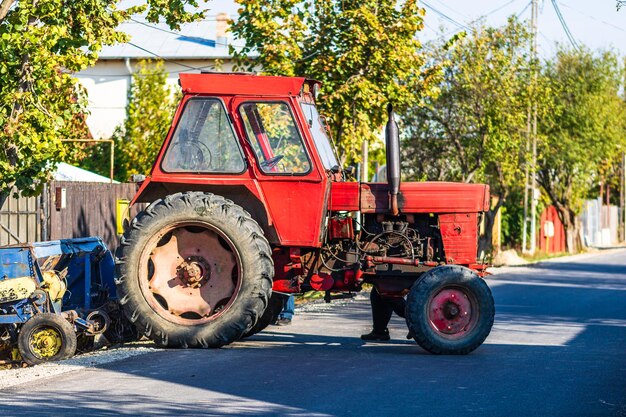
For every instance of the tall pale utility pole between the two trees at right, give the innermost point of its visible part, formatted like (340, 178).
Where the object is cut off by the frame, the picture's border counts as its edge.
(534, 195)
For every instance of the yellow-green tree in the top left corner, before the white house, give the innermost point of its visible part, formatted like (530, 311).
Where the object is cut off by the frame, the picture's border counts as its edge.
(42, 42)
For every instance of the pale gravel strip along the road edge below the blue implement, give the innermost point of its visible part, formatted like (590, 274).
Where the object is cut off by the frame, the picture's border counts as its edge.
(13, 377)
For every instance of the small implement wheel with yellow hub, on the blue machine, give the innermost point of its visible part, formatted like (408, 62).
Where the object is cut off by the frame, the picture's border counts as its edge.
(46, 337)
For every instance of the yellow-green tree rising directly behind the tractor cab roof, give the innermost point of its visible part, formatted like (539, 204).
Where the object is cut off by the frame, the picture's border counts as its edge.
(365, 53)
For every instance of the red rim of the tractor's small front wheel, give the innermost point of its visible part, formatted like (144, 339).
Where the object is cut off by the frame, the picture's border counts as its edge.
(453, 312)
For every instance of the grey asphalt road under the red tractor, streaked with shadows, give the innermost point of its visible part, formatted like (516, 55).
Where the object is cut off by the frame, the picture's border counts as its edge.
(557, 349)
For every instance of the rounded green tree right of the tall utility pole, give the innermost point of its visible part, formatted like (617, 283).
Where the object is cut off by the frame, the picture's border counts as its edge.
(583, 137)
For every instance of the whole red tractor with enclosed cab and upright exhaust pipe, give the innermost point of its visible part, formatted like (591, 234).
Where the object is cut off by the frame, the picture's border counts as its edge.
(249, 204)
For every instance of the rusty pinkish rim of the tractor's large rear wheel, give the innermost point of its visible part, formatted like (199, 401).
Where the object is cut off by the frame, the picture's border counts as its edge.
(190, 273)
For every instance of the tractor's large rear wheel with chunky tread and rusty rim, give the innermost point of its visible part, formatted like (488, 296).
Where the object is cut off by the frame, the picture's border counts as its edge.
(194, 270)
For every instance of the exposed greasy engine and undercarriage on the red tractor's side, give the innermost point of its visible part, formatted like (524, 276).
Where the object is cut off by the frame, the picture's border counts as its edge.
(385, 250)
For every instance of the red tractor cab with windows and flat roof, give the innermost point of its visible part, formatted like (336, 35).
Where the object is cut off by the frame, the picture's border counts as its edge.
(259, 141)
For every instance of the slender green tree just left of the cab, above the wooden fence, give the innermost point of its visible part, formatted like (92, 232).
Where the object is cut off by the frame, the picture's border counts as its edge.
(149, 113)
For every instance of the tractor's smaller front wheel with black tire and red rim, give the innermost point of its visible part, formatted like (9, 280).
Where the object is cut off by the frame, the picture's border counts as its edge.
(450, 310)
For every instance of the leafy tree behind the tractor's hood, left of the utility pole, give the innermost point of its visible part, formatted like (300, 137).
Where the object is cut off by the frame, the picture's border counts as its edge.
(475, 129)
